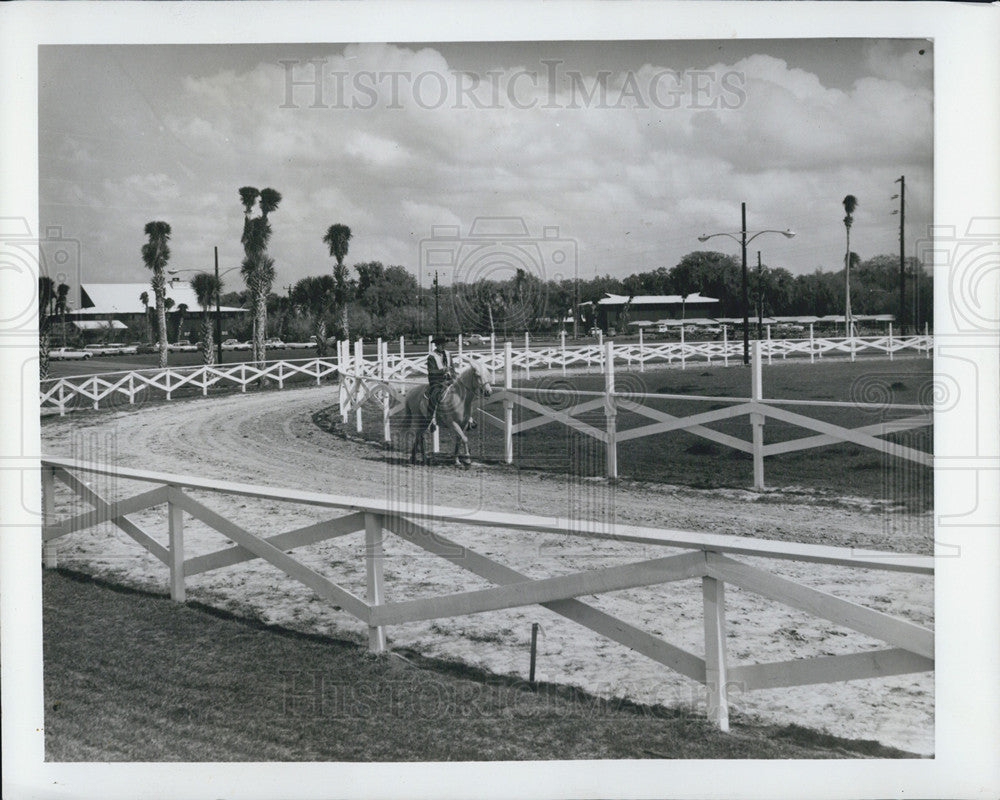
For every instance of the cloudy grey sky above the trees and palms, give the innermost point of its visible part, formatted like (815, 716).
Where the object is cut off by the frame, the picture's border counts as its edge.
(617, 154)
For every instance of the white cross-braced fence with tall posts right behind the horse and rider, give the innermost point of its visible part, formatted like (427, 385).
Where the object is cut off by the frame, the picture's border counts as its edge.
(383, 382)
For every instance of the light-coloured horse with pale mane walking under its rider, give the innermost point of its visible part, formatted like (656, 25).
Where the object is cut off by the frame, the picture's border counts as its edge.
(454, 412)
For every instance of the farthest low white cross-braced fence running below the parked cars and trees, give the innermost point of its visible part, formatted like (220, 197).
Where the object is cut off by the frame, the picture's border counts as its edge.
(120, 388)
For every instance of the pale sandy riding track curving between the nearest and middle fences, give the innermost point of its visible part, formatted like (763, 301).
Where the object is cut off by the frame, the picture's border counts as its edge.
(272, 439)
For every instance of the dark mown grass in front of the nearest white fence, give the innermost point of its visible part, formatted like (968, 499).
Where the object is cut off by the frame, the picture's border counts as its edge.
(132, 676)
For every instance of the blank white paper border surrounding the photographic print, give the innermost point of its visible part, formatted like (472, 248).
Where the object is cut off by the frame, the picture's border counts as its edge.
(967, 131)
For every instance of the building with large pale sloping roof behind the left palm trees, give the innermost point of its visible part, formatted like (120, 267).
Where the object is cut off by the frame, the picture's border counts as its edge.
(116, 311)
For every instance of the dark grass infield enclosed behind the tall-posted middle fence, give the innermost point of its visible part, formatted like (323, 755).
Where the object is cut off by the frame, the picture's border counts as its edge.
(686, 459)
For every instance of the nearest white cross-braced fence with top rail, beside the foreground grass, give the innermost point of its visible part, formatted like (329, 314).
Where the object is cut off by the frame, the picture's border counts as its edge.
(709, 557)
